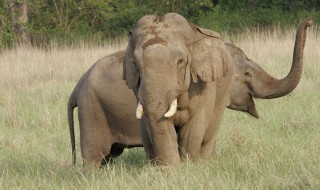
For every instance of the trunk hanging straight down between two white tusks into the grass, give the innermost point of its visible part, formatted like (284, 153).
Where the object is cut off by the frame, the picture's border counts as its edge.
(156, 103)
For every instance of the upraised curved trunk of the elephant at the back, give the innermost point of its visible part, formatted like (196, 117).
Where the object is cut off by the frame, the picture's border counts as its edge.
(274, 88)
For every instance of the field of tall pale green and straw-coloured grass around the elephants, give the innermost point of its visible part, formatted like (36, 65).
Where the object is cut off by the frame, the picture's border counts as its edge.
(281, 150)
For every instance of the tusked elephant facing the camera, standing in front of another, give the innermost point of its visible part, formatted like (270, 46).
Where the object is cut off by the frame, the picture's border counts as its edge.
(167, 58)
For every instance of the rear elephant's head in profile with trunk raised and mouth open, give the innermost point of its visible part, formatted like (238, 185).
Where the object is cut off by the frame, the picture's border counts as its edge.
(251, 81)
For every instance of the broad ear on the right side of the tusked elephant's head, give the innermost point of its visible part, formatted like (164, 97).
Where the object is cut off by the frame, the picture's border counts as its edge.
(209, 57)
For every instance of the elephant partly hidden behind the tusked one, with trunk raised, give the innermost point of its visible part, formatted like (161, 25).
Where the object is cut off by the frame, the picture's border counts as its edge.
(106, 107)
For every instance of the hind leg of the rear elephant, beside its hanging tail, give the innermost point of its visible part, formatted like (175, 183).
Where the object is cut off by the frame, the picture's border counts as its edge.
(95, 134)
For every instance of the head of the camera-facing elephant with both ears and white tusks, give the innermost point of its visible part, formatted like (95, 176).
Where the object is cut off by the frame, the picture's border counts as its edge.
(168, 52)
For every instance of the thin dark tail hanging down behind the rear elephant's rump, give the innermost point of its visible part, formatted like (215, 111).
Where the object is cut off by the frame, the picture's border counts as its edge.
(71, 105)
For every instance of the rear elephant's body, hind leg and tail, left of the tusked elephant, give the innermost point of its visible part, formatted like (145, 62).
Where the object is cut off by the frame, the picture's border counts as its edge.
(104, 104)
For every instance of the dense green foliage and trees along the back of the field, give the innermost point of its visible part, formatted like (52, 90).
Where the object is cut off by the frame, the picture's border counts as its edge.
(71, 21)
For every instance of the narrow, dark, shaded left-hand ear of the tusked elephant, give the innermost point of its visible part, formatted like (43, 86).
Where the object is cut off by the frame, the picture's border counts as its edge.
(130, 70)
